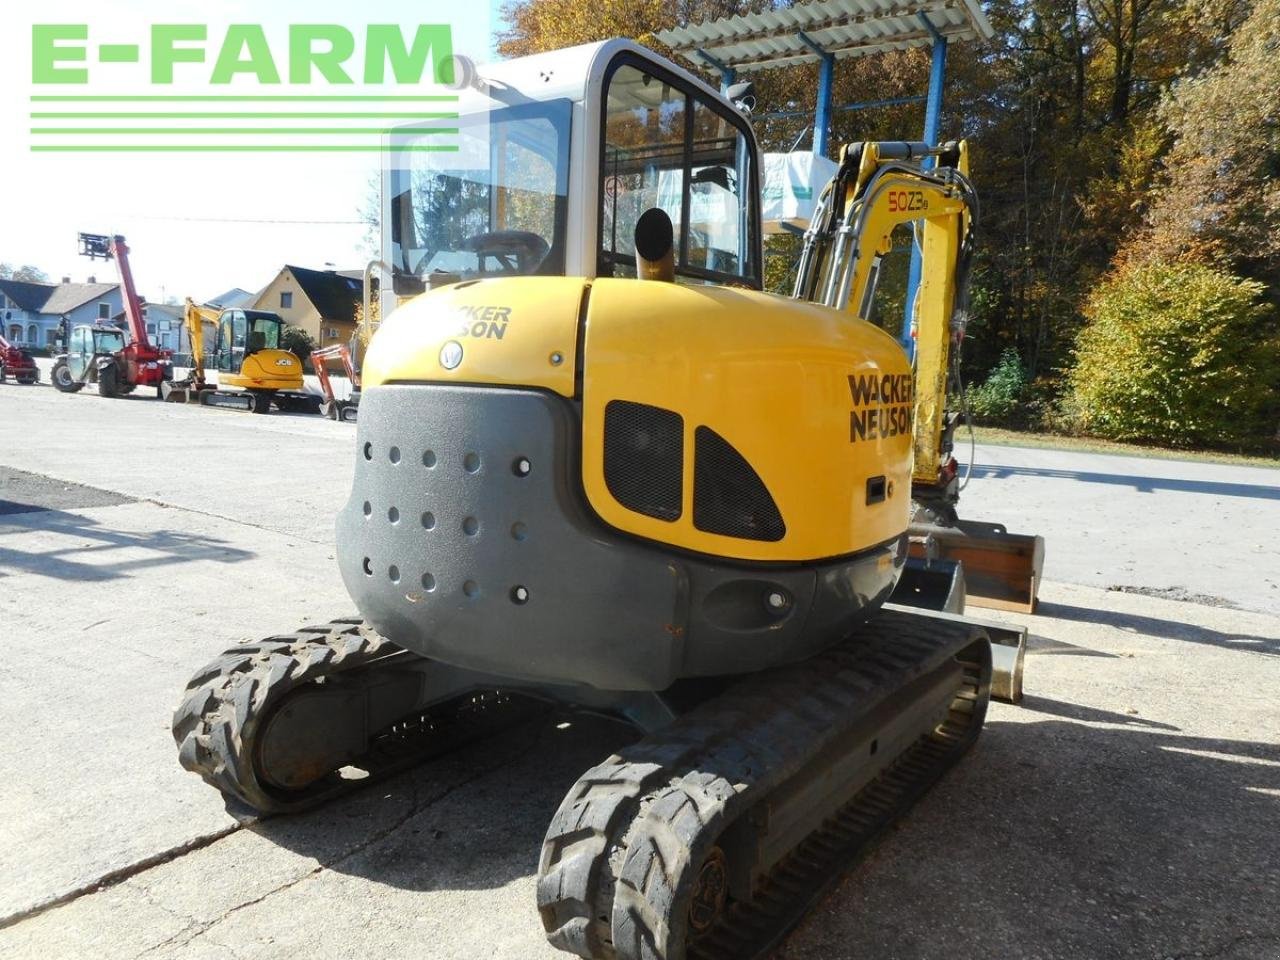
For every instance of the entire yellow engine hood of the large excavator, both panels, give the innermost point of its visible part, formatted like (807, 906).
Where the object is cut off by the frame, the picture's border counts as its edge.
(817, 403)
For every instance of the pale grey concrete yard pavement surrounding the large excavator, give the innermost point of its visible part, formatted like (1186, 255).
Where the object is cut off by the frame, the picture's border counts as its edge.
(1127, 810)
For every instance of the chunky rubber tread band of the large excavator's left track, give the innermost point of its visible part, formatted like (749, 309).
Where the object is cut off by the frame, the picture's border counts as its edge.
(227, 702)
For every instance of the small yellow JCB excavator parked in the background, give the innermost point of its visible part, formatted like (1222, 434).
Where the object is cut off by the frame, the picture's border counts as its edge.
(253, 371)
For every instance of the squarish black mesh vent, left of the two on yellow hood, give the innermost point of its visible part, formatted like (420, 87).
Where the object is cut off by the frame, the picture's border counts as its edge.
(644, 458)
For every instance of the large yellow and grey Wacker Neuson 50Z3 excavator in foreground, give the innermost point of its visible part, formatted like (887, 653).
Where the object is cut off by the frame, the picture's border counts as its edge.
(597, 465)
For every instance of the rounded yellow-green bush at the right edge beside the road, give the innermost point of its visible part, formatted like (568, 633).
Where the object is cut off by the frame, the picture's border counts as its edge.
(1180, 355)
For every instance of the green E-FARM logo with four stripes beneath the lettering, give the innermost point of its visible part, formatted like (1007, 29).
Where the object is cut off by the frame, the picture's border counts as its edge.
(336, 60)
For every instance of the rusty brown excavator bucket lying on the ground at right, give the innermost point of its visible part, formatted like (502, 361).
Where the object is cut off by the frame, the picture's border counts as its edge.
(1002, 570)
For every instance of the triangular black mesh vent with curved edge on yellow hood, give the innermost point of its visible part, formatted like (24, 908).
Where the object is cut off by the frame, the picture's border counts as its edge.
(729, 496)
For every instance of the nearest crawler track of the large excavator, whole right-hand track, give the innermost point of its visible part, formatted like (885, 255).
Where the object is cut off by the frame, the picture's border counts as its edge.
(712, 838)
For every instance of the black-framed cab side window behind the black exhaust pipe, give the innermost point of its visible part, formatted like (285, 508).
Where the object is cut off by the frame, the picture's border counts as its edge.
(668, 148)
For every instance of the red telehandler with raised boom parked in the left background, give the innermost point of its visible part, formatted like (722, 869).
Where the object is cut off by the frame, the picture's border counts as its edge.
(97, 355)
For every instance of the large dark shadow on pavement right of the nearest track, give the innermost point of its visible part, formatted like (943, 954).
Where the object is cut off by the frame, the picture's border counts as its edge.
(1062, 840)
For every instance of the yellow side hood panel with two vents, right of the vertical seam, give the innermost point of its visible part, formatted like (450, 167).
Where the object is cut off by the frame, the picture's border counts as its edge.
(772, 377)
